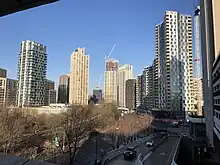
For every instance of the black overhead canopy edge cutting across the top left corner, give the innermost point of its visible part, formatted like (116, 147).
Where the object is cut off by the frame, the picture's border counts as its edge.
(12, 6)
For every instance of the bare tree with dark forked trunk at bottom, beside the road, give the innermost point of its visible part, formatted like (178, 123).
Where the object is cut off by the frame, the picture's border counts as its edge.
(74, 127)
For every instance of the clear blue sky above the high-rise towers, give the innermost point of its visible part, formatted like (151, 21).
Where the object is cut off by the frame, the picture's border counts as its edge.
(93, 24)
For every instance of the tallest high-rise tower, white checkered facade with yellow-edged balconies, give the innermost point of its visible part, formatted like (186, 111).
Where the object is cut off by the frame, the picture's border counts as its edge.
(174, 52)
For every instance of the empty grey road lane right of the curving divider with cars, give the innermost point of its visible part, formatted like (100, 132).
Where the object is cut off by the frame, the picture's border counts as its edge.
(164, 153)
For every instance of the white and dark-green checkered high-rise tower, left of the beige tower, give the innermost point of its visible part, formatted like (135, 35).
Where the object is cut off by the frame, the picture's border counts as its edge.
(32, 66)
